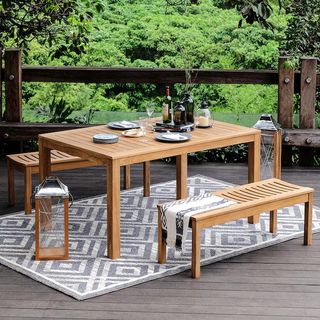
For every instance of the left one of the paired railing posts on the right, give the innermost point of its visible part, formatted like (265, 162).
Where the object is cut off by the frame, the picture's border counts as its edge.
(285, 103)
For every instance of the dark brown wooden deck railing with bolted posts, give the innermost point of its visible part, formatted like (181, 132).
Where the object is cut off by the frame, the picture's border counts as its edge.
(288, 81)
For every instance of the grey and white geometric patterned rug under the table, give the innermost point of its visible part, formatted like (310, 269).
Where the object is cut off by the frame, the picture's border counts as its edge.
(88, 273)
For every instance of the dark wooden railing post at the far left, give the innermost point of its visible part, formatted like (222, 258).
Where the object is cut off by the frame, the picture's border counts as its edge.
(13, 85)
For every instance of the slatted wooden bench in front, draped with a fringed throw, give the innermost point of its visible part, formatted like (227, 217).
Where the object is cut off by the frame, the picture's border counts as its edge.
(252, 199)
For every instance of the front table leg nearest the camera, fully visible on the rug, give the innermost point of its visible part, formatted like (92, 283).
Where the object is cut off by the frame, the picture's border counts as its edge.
(113, 210)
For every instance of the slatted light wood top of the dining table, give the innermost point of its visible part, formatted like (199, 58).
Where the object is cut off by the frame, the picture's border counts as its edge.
(130, 150)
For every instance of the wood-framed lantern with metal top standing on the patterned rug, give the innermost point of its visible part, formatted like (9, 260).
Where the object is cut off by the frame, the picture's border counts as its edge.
(51, 220)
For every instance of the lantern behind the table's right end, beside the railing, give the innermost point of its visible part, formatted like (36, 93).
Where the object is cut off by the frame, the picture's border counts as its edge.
(271, 143)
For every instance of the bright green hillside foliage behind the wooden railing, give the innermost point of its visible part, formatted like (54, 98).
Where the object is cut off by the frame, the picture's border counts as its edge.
(142, 33)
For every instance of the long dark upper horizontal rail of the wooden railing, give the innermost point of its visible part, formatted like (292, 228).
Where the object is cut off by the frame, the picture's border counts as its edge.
(149, 75)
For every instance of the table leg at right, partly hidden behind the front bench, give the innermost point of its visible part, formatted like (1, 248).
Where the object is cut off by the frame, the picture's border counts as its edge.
(254, 168)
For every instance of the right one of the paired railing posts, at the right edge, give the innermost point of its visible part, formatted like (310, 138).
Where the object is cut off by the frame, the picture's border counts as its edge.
(308, 87)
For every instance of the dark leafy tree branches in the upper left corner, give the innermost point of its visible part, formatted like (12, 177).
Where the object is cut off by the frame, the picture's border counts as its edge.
(22, 21)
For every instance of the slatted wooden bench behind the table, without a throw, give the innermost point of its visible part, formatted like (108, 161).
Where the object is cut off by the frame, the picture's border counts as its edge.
(28, 164)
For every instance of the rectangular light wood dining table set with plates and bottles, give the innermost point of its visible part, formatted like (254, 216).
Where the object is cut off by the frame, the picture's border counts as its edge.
(130, 150)
